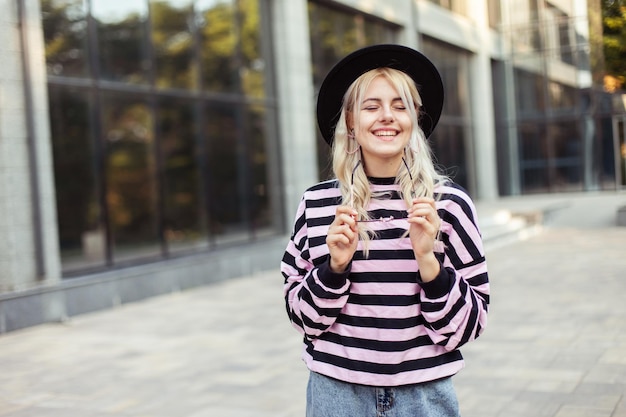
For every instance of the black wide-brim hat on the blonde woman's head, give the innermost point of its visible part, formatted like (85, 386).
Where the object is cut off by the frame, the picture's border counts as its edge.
(346, 71)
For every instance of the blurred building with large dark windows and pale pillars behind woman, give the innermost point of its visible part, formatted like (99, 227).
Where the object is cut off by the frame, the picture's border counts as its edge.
(149, 146)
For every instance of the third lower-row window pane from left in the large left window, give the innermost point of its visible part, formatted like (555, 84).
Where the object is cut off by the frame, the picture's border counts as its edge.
(184, 214)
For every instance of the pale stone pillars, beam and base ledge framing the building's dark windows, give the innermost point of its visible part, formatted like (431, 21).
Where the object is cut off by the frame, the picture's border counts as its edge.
(32, 289)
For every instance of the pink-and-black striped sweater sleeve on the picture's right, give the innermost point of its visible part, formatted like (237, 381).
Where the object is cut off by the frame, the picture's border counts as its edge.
(455, 304)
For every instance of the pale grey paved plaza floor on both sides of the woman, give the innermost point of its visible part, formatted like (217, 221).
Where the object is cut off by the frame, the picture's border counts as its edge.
(555, 345)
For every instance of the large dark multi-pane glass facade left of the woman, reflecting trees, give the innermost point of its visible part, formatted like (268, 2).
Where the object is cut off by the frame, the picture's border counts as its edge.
(162, 120)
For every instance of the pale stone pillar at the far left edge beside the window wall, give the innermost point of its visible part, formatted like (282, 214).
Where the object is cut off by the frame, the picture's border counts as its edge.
(28, 246)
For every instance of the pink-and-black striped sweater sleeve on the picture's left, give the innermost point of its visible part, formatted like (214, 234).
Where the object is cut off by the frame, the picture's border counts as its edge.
(314, 295)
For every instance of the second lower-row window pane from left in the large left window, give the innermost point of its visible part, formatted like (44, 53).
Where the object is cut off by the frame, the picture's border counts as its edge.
(130, 176)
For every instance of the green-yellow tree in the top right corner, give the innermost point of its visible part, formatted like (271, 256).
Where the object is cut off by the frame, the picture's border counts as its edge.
(614, 39)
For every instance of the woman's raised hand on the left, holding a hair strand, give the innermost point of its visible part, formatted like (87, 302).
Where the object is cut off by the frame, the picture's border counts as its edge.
(342, 238)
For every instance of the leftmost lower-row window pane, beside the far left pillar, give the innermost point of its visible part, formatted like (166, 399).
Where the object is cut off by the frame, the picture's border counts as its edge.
(81, 231)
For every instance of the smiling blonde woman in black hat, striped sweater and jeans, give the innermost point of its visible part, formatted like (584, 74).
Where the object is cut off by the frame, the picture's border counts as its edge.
(385, 274)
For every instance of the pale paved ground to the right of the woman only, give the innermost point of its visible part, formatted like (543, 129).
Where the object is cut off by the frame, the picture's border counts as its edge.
(556, 341)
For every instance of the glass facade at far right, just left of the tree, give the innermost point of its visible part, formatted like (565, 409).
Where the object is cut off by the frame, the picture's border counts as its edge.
(559, 125)
